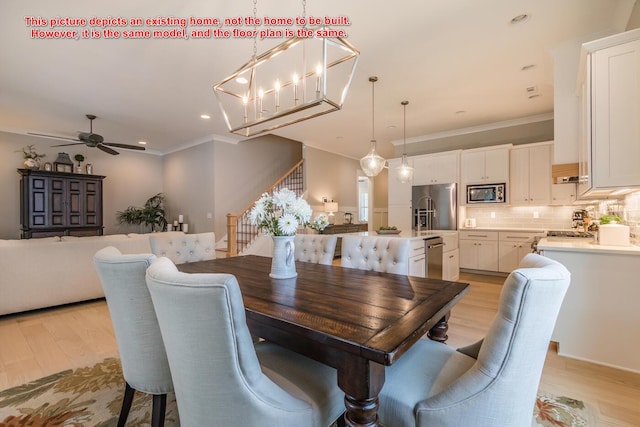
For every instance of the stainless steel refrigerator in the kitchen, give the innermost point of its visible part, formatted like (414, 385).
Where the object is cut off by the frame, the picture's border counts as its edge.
(434, 207)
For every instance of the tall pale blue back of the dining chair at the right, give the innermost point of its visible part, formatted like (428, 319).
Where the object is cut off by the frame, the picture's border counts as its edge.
(500, 388)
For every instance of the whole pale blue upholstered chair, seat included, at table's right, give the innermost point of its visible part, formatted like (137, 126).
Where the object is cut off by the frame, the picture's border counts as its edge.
(493, 382)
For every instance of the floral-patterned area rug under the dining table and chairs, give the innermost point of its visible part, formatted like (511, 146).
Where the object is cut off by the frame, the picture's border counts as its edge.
(92, 396)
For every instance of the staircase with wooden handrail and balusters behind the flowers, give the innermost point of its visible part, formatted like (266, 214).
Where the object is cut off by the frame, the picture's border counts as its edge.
(240, 232)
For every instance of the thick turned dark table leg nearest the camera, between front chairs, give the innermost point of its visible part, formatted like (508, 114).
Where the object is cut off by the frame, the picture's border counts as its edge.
(361, 381)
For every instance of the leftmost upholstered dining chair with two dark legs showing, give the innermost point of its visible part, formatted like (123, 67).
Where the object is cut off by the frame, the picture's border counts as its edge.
(144, 361)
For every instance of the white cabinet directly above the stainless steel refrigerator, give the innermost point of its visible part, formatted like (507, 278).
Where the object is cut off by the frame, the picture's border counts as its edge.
(441, 168)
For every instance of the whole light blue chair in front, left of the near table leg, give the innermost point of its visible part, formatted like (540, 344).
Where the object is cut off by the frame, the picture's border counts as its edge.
(220, 377)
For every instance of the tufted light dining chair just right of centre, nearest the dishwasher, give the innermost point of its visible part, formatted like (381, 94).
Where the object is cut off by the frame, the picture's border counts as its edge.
(382, 254)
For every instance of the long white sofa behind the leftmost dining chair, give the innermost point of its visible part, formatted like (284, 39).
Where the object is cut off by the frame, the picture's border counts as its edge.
(39, 273)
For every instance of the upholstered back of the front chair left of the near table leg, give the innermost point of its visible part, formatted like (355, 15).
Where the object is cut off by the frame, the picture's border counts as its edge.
(217, 376)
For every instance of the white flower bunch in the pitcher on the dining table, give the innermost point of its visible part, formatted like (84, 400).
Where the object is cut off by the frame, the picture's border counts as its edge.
(281, 213)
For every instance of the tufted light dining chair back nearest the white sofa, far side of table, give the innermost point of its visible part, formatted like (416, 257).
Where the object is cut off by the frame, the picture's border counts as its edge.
(182, 248)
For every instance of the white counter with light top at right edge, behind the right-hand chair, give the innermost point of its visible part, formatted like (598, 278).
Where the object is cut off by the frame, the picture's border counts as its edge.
(599, 318)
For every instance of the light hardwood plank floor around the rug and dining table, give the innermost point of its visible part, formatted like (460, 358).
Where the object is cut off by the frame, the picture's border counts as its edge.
(44, 342)
